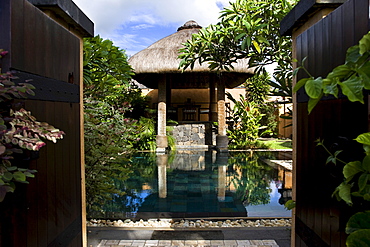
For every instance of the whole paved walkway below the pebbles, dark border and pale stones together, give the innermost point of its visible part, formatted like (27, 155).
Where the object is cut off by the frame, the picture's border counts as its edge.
(248, 237)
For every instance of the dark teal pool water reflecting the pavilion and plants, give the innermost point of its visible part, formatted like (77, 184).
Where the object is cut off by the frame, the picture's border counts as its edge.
(204, 184)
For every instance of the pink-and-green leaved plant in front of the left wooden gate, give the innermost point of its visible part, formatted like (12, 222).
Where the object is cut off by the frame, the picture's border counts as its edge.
(19, 131)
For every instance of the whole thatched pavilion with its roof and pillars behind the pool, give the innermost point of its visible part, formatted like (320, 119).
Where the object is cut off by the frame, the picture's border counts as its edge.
(157, 67)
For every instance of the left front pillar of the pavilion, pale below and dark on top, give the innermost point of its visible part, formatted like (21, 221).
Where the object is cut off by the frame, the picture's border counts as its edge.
(162, 143)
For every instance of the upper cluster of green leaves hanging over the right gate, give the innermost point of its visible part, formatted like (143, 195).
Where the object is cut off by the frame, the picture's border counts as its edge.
(352, 77)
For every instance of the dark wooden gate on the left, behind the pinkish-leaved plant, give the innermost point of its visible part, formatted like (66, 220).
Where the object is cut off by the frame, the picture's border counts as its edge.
(45, 45)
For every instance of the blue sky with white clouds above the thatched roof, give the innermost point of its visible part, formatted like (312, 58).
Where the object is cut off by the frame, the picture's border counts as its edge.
(133, 25)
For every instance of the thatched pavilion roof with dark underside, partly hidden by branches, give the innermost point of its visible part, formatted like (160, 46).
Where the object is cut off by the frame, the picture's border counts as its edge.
(162, 58)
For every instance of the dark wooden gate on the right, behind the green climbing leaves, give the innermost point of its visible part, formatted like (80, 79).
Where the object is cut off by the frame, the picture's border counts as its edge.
(319, 219)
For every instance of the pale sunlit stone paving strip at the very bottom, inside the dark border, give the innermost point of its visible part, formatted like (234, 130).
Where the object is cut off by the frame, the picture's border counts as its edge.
(188, 243)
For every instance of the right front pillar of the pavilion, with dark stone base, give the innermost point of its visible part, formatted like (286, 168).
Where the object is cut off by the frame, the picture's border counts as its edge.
(221, 138)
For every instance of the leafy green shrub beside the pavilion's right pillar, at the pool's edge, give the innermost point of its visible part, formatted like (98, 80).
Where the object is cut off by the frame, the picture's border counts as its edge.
(244, 124)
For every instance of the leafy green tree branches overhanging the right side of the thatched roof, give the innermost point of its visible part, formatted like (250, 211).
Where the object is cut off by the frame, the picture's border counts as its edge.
(247, 29)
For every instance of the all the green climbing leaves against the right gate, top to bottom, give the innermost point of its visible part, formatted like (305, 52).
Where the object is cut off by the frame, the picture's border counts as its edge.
(351, 79)
